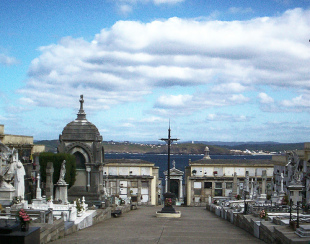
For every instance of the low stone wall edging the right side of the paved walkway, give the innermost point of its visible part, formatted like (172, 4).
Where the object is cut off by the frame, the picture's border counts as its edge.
(265, 230)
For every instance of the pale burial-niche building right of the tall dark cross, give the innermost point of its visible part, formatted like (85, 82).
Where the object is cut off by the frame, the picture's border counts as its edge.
(213, 178)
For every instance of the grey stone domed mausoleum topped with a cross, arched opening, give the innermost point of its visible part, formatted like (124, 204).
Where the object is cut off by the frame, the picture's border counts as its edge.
(82, 139)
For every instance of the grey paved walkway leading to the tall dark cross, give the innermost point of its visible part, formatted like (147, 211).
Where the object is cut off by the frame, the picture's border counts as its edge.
(196, 225)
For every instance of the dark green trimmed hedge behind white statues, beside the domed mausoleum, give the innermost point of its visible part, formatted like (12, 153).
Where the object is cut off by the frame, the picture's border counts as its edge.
(57, 160)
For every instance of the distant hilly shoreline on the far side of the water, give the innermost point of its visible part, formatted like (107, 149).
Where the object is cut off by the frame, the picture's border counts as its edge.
(216, 148)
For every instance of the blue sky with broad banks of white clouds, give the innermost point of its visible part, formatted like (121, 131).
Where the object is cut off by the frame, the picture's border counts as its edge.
(218, 70)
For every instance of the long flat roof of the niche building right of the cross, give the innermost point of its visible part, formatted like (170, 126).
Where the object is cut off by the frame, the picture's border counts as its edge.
(243, 162)
